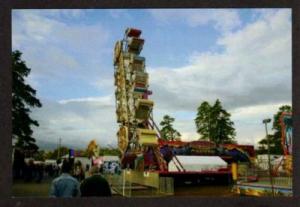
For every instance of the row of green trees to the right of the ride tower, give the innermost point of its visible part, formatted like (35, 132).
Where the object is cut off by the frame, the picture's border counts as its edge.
(213, 124)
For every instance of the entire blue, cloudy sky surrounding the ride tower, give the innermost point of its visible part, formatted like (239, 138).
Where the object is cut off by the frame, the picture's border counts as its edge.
(240, 56)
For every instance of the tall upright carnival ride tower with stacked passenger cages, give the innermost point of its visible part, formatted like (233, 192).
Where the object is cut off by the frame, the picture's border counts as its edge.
(137, 138)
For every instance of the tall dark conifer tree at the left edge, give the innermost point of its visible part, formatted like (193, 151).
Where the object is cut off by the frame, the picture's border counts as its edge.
(23, 98)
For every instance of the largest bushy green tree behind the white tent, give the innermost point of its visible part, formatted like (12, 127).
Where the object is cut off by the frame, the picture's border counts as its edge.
(213, 123)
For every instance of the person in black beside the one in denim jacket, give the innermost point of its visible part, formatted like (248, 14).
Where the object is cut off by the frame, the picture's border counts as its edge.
(95, 185)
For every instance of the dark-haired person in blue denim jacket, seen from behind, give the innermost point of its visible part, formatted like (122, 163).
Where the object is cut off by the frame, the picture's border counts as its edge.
(65, 185)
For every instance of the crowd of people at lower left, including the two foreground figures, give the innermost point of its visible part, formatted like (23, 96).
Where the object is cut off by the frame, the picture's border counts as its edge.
(69, 178)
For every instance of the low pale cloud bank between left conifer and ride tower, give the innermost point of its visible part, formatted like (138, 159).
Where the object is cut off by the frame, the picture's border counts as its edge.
(77, 122)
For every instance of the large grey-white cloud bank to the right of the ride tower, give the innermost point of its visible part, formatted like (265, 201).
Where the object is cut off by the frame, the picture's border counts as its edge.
(251, 77)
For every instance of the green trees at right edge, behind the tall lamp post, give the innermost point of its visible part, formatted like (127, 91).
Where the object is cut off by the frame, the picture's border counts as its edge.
(275, 139)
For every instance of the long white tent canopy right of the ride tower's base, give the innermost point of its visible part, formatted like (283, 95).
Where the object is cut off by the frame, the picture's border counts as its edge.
(196, 163)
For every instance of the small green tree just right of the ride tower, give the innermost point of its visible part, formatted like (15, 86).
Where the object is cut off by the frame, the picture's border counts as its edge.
(167, 131)
